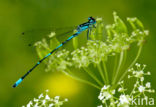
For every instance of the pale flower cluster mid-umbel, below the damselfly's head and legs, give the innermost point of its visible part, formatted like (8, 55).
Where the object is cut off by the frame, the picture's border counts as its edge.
(94, 52)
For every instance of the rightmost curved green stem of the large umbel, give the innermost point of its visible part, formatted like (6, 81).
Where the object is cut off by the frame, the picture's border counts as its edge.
(134, 61)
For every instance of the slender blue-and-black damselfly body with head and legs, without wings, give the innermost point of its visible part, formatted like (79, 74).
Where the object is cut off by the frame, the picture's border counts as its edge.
(80, 28)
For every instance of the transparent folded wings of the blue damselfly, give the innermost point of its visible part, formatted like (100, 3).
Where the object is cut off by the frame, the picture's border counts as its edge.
(29, 37)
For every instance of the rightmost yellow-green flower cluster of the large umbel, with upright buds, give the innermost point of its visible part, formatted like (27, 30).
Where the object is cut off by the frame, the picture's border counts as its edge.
(119, 38)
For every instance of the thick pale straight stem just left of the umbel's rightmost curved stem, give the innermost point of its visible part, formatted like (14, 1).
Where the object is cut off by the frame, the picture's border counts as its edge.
(119, 67)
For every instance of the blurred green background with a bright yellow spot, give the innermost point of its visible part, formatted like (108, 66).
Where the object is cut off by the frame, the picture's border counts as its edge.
(15, 58)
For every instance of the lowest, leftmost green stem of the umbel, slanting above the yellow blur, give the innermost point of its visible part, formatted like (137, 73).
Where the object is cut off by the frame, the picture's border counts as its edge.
(81, 80)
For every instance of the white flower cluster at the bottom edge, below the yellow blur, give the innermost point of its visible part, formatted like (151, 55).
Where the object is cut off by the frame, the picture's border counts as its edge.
(44, 100)
